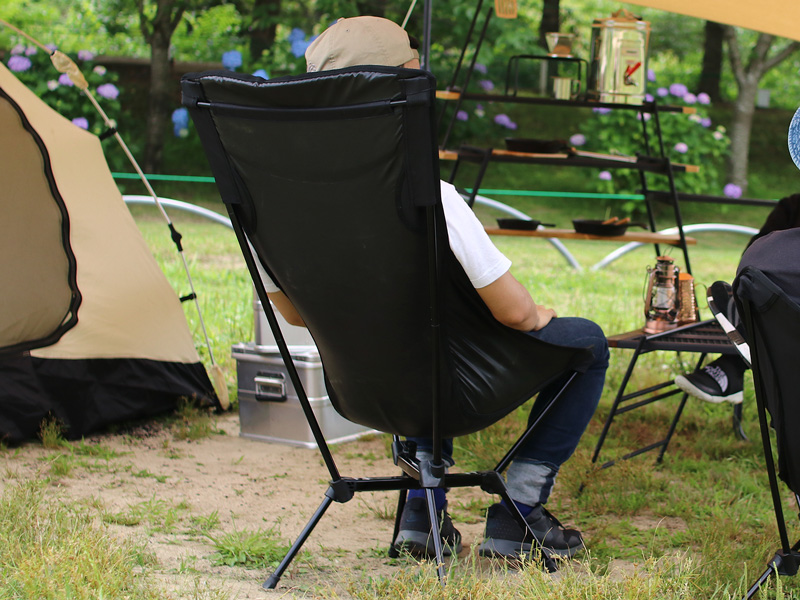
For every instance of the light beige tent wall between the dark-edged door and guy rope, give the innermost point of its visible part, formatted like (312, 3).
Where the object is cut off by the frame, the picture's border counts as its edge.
(128, 308)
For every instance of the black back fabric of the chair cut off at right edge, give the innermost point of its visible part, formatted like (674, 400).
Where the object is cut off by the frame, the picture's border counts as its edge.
(772, 328)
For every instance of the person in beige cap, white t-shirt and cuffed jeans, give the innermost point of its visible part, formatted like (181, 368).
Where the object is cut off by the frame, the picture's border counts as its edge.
(376, 41)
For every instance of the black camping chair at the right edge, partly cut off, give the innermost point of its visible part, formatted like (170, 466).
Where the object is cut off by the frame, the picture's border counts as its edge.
(771, 322)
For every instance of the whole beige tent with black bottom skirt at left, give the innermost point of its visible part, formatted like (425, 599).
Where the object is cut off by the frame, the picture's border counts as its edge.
(70, 248)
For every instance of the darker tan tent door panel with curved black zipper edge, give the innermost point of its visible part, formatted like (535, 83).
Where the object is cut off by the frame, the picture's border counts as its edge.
(37, 269)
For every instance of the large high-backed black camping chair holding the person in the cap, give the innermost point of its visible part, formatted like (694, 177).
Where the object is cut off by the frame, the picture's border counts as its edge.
(331, 181)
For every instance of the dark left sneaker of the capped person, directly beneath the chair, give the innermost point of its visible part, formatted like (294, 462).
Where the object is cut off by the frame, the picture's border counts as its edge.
(414, 536)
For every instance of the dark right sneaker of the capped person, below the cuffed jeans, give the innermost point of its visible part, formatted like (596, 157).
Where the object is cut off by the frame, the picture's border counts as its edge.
(506, 539)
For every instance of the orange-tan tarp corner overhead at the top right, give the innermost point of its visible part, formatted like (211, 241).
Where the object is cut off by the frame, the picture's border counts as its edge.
(776, 17)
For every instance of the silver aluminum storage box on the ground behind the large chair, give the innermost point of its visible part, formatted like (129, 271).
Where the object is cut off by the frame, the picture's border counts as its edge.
(269, 409)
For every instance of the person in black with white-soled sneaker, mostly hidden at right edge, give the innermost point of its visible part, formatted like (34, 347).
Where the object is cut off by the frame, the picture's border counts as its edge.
(722, 380)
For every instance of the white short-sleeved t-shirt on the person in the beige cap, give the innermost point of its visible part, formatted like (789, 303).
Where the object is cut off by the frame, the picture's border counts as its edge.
(481, 260)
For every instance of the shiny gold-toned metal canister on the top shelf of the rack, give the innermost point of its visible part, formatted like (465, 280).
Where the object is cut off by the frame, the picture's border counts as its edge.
(618, 59)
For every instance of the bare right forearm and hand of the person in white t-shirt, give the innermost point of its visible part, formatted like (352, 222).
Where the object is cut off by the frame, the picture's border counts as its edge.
(512, 305)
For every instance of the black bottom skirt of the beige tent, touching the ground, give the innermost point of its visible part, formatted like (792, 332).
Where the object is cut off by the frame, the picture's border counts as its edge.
(86, 396)
